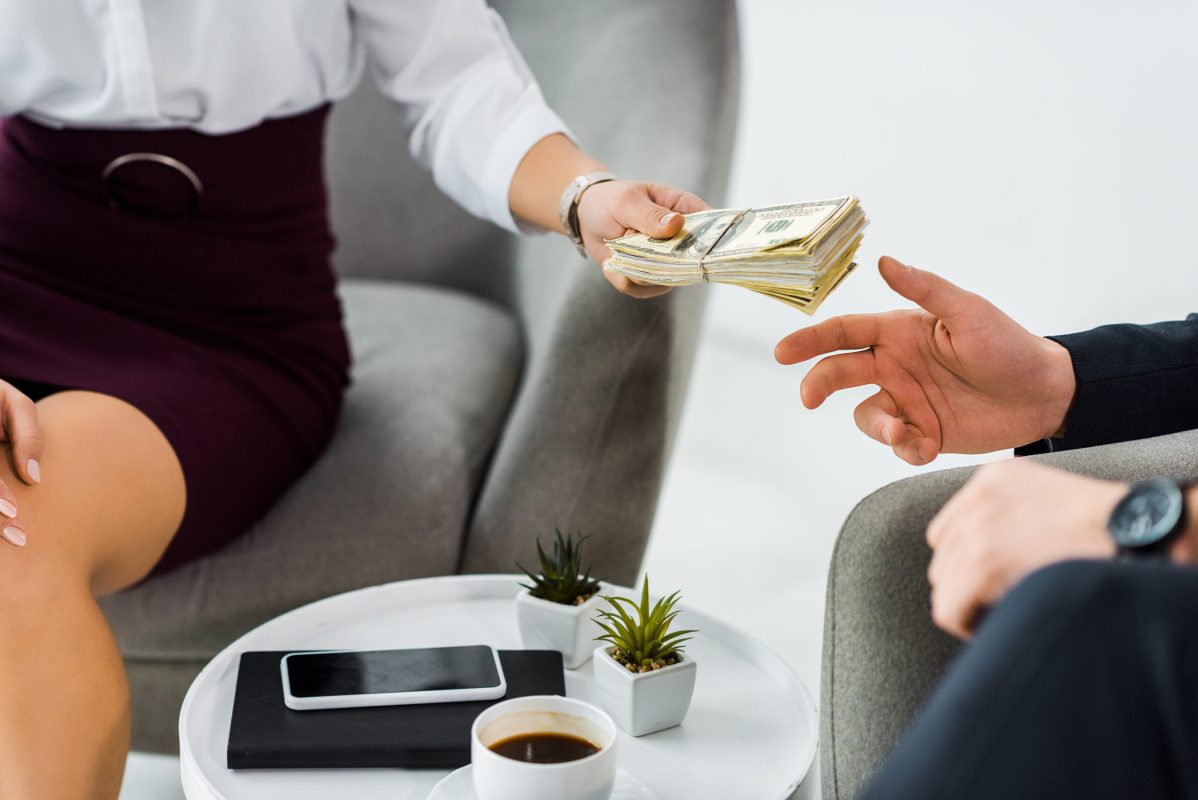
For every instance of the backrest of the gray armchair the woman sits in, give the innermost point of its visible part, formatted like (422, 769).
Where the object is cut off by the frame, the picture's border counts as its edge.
(390, 217)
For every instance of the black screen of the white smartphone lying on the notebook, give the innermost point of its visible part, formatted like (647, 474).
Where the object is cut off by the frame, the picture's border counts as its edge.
(384, 672)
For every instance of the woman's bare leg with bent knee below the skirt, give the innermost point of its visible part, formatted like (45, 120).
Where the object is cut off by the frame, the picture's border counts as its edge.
(111, 499)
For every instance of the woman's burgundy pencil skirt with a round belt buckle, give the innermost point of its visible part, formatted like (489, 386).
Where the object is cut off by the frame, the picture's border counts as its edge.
(193, 283)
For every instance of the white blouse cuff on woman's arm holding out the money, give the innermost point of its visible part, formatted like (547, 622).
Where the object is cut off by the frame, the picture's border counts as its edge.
(528, 126)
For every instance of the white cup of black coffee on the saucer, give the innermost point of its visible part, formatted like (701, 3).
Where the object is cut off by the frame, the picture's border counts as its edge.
(499, 778)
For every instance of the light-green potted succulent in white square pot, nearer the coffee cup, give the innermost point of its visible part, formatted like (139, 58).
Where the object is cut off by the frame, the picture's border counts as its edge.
(645, 680)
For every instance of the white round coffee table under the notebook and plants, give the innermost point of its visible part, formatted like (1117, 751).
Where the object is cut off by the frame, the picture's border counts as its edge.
(752, 730)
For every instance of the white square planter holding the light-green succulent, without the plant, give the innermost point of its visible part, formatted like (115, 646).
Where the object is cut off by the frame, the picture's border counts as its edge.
(644, 702)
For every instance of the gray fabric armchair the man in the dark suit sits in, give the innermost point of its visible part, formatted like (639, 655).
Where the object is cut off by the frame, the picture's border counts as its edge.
(882, 656)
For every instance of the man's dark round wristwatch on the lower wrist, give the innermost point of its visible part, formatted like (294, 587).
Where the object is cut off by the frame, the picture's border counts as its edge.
(1149, 517)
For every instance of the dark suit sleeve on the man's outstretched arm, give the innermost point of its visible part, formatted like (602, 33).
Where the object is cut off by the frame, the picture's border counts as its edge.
(1134, 381)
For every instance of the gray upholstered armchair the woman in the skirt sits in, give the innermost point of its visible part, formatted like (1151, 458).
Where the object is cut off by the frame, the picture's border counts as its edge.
(501, 387)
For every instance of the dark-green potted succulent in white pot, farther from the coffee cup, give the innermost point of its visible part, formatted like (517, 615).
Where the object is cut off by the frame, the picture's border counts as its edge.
(558, 611)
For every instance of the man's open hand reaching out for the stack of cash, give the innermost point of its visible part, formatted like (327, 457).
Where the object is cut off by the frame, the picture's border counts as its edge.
(955, 377)
